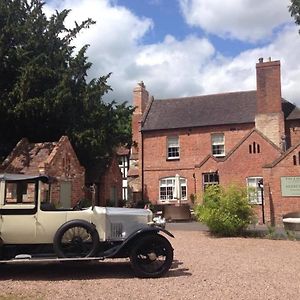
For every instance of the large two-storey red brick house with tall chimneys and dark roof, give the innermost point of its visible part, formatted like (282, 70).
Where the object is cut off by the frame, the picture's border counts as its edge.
(240, 137)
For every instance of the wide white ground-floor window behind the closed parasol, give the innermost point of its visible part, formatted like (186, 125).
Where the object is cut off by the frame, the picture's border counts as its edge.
(167, 189)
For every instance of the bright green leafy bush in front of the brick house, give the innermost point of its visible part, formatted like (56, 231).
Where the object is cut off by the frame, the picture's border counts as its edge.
(226, 212)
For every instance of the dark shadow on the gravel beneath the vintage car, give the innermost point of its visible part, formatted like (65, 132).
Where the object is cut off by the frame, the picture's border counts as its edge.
(77, 271)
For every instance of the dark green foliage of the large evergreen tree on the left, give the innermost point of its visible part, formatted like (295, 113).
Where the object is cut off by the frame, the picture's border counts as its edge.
(44, 92)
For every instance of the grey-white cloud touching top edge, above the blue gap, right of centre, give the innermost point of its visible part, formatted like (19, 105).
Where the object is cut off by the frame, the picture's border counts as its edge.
(246, 20)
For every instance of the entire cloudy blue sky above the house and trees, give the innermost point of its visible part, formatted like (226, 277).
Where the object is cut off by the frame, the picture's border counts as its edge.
(182, 48)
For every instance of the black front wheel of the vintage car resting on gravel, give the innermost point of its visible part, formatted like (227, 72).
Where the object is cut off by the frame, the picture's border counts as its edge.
(151, 256)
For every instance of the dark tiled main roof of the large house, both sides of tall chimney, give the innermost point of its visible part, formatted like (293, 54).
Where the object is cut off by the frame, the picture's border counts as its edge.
(218, 109)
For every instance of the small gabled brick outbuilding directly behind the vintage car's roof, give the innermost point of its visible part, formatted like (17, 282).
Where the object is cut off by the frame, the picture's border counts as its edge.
(55, 159)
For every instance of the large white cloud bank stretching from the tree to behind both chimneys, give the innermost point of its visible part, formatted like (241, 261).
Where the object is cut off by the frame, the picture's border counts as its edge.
(173, 67)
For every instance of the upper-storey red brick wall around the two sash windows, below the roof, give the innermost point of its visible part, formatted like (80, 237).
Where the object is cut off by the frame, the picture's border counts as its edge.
(195, 144)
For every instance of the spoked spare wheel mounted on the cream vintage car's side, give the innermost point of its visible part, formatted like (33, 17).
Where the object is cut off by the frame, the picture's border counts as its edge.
(76, 238)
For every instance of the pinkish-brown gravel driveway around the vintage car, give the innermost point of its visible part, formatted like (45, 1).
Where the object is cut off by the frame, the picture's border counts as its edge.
(204, 268)
